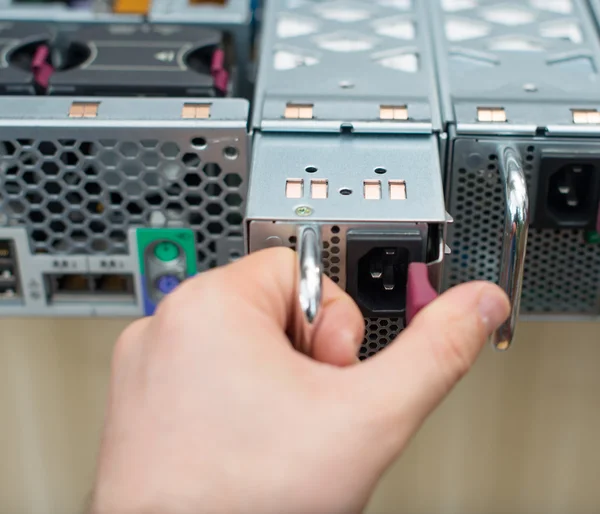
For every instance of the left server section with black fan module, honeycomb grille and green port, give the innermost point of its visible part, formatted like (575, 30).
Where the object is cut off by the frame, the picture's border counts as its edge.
(117, 141)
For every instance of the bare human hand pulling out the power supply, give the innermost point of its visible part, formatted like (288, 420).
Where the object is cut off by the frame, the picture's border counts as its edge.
(212, 410)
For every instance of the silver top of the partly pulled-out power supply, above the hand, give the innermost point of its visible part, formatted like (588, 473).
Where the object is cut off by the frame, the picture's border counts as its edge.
(345, 163)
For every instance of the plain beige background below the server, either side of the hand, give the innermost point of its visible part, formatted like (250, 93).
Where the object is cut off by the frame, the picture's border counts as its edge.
(520, 435)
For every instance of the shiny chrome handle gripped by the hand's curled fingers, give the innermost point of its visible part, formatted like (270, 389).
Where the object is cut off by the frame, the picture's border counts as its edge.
(311, 271)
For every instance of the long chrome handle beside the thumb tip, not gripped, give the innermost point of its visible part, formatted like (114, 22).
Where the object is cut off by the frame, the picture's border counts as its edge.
(514, 244)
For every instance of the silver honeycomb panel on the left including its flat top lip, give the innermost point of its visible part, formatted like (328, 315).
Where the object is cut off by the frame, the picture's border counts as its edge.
(77, 185)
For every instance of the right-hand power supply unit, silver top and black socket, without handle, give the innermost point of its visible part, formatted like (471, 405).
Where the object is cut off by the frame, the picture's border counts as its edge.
(524, 74)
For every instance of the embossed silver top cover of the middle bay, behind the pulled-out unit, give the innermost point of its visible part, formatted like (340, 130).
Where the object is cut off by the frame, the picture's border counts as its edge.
(346, 58)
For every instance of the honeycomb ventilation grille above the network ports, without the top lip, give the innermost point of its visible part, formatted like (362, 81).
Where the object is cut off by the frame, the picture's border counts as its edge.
(79, 194)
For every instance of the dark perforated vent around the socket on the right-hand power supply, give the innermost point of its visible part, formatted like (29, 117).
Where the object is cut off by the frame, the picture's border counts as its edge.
(562, 271)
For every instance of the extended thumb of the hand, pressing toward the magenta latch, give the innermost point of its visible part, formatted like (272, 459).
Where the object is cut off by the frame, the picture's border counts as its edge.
(420, 368)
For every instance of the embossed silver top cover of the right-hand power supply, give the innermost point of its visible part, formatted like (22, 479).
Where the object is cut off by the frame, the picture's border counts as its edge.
(488, 50)
